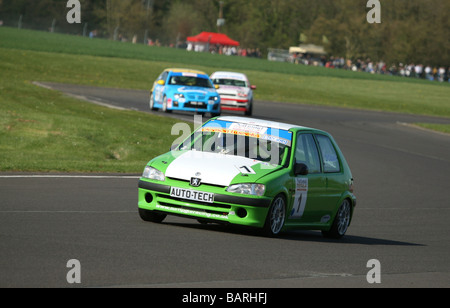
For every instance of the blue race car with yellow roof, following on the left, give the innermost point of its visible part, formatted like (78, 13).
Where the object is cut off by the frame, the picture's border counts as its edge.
(185, 90)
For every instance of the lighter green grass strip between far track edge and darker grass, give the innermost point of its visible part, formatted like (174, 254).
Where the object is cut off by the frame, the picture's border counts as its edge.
(405, 97)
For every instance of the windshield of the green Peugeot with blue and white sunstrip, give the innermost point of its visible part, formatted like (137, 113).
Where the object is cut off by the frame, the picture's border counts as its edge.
(252, 141)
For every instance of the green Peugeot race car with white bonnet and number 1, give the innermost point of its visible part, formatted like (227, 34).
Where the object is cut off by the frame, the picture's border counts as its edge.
(258, 173)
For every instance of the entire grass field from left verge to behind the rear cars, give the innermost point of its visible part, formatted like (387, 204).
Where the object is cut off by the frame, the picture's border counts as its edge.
(42, 130)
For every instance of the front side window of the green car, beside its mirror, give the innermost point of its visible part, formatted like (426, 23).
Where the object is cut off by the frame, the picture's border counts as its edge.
(306, 152)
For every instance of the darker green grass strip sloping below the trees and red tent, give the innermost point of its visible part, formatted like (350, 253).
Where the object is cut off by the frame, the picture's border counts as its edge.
(68, 44)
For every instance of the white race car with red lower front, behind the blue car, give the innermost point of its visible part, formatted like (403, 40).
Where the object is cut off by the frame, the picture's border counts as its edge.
(236, 92)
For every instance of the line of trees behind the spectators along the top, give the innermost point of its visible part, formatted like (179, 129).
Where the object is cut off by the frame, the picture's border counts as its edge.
(411, 31)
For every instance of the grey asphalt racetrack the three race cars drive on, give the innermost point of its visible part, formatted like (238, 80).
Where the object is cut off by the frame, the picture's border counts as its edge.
(402, 218)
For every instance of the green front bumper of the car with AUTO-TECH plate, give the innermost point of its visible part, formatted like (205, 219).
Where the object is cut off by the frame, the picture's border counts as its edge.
(226, 208)
